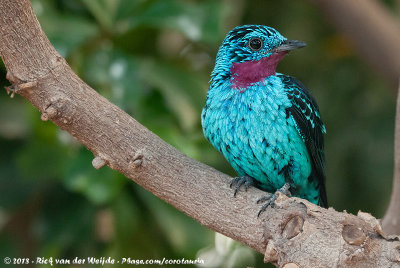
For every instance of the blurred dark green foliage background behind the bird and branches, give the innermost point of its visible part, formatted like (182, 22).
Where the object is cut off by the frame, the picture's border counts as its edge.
(153, 58)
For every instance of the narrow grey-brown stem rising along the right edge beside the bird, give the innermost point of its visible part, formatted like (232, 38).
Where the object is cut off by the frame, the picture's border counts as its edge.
(391, 221)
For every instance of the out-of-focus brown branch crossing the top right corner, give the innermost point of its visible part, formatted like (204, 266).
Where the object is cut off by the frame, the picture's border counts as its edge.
(372, 29)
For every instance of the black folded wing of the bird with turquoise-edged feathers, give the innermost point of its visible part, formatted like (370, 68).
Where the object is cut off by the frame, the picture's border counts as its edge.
(305, 111)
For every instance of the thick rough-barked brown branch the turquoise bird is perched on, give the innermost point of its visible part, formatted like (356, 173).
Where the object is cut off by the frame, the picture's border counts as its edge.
(293, 234)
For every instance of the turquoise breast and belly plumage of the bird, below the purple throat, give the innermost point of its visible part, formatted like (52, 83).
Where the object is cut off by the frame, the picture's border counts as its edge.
(254, 132)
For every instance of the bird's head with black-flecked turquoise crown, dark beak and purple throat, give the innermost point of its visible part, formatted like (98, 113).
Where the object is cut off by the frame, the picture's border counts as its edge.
(249, 54)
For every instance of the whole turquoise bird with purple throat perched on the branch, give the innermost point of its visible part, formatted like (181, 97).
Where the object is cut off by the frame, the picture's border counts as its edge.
(266, 124)
